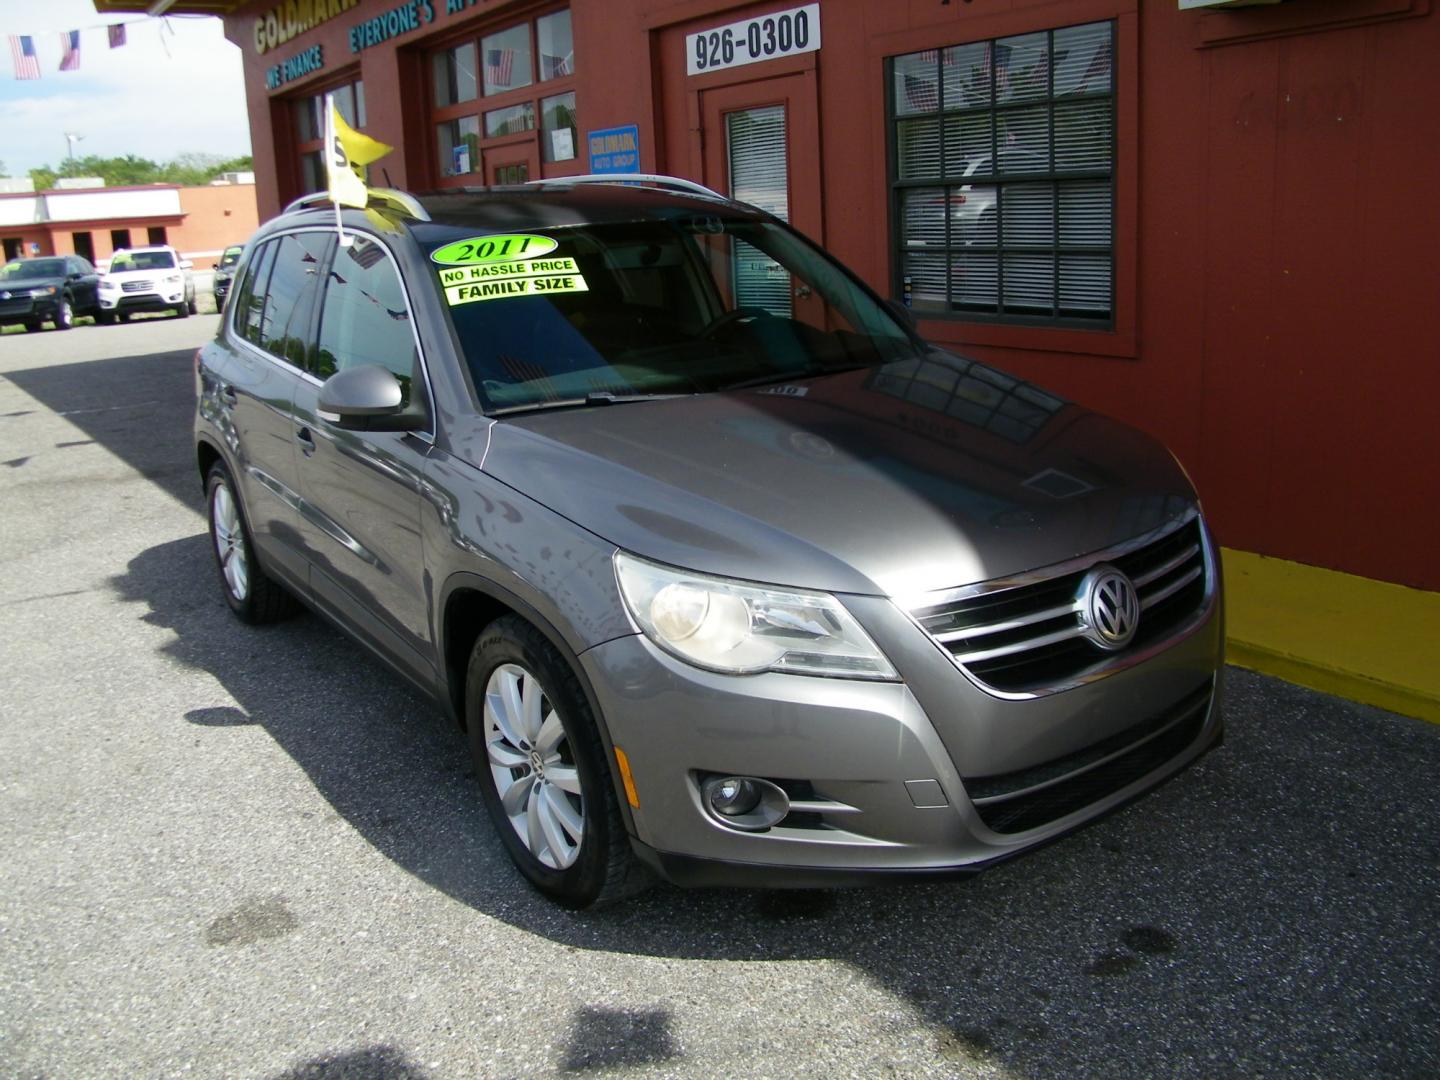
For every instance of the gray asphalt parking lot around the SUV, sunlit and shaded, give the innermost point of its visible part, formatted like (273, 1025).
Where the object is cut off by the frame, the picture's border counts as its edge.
(260, 855)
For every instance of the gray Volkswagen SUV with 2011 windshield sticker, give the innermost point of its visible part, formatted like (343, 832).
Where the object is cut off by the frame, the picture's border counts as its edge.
(728, 575)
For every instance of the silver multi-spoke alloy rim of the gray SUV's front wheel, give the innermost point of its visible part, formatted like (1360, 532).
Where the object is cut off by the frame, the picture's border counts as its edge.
(534, 767)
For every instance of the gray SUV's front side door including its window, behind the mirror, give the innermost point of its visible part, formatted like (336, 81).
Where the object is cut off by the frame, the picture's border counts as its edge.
(362, 490)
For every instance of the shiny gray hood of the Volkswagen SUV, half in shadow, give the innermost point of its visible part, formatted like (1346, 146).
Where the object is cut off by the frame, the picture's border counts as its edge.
(918, 476)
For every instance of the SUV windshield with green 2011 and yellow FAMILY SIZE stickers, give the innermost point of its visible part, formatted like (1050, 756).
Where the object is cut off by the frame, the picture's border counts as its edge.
(654, 307)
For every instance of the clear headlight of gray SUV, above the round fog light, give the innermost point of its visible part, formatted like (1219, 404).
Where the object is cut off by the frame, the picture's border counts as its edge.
(742, 629)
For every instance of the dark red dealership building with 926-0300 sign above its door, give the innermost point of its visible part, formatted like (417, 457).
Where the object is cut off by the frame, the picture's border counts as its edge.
(1215, 221)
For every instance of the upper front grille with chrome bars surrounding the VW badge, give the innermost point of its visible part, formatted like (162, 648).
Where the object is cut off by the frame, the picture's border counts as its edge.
(1029, 639)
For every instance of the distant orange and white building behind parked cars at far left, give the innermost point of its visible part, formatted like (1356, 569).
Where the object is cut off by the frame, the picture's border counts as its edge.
(87, 218)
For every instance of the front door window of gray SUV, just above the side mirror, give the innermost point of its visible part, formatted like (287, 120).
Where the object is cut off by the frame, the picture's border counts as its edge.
(366, 319)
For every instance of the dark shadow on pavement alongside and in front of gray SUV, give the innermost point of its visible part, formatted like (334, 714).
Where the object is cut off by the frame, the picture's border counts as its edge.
(1272, 909)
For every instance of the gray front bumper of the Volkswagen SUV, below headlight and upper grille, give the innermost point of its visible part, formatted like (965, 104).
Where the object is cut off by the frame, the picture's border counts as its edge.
(881, 768)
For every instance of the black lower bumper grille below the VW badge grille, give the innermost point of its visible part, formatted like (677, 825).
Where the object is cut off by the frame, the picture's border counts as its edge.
(1046, 793)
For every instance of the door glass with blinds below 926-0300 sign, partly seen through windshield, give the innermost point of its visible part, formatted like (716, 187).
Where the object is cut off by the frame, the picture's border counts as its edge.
(760, 176)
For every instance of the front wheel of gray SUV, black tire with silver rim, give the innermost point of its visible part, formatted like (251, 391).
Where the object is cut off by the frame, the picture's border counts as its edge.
(549, 767)
